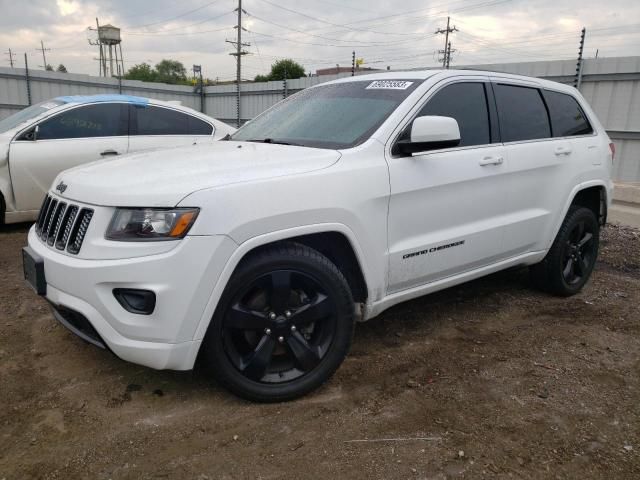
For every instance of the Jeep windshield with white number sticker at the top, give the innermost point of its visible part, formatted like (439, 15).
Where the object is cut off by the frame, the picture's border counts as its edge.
(340, 115)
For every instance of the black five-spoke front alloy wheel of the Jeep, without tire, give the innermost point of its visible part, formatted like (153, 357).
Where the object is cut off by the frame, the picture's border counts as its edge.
(279, 327)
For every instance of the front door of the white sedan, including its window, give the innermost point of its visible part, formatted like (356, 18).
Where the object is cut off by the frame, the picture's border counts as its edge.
(70, 138)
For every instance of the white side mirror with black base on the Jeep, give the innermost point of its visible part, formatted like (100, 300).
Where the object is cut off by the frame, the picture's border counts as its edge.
(431, 133)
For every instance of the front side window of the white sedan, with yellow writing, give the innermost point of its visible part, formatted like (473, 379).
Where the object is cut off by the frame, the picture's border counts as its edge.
(99, 120)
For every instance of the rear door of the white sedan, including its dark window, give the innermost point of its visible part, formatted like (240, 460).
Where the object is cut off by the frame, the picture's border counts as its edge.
(154, 126)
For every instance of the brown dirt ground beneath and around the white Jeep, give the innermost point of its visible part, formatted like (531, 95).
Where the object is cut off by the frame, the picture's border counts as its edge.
(487, 380)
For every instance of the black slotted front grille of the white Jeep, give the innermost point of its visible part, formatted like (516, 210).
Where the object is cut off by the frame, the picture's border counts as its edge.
(63, 225)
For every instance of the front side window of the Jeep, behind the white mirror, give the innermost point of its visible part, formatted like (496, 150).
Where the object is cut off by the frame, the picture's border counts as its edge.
(467, 103)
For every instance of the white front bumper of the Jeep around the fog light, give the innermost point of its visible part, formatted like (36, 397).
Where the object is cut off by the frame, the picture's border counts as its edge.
(182, 278)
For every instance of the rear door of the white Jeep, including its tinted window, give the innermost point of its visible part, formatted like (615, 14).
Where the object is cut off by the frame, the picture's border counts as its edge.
(538, 165)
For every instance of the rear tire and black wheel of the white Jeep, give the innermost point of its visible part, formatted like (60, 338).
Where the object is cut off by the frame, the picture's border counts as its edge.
(572, 257)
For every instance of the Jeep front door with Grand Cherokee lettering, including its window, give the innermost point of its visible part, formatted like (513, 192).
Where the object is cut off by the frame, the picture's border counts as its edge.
(446, 211)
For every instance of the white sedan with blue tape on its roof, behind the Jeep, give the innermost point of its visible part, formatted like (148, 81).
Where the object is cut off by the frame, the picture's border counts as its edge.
(42, 140)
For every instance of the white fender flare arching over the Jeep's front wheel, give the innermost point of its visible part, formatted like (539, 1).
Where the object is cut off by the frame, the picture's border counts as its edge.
(265, 239)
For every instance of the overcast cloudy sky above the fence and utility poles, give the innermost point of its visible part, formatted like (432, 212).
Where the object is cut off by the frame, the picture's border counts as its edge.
(318, 33)
